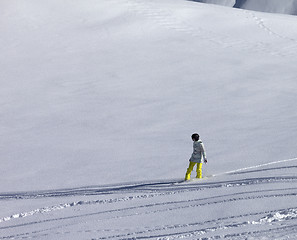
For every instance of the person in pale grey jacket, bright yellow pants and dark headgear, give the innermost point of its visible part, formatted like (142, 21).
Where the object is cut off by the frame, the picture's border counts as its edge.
(197, 157)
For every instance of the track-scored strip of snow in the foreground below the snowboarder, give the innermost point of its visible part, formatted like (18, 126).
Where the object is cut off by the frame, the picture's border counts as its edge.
(256, 203)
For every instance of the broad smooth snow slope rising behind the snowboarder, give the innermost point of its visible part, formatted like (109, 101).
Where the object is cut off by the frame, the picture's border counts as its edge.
(90, 90)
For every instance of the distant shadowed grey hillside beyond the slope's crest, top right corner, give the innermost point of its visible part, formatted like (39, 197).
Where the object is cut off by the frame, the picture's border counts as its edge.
(273, 6)
